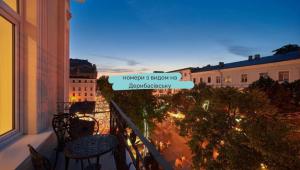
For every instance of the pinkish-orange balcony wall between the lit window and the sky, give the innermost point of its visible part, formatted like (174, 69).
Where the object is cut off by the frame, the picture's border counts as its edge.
(41, 62)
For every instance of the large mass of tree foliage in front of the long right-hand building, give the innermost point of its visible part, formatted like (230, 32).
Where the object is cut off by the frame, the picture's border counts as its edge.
(241, 126)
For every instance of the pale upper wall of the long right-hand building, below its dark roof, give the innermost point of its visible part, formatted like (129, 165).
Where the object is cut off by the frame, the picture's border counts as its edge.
(252, 72)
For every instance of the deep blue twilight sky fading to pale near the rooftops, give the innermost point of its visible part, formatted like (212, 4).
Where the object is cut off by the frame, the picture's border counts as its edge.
(125, 36)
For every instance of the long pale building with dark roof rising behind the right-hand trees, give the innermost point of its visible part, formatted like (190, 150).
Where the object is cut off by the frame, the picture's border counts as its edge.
(241, 74)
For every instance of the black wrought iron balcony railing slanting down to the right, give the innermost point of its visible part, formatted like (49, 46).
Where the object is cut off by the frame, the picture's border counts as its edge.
(133, 149)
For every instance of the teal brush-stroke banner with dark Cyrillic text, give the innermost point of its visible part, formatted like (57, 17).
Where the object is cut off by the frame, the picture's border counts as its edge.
(149, 81)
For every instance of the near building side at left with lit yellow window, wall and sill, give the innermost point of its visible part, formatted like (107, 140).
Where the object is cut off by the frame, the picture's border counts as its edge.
(34, 57)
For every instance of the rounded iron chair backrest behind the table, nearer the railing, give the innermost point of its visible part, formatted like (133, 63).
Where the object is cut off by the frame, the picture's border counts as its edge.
(83, 126)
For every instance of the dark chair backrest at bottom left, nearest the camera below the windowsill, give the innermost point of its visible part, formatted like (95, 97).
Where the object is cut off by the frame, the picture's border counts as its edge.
(39, 162)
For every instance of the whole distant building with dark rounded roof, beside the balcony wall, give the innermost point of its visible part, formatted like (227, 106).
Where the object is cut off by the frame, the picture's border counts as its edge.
(83, 79)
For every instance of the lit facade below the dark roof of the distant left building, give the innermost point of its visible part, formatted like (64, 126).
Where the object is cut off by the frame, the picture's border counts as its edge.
(82, 89)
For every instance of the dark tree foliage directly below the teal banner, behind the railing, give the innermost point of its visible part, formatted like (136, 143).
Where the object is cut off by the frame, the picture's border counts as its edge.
(137, 104)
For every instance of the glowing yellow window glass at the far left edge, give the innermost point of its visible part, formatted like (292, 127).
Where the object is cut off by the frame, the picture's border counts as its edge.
(6, 75)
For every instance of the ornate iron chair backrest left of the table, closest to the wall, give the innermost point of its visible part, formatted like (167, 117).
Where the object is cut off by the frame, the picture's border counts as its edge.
(60, 124)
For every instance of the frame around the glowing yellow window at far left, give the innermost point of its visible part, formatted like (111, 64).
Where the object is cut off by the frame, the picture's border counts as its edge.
(14, 18)
